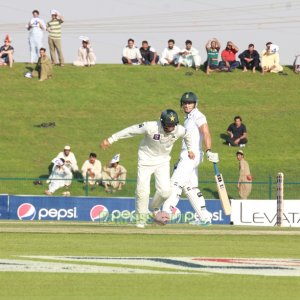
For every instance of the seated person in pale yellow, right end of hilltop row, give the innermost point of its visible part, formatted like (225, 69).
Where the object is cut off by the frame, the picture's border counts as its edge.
(269, 58)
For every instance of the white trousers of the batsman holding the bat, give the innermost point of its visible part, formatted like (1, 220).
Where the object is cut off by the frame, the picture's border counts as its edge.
(185, 175)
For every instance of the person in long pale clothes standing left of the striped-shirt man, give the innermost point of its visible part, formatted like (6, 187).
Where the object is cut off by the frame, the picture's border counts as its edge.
(35, 26)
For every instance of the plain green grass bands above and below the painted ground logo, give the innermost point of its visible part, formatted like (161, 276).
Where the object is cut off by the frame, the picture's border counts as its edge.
(97, 286)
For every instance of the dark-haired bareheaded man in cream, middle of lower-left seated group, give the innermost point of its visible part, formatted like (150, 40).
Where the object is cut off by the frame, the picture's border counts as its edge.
(91, 170)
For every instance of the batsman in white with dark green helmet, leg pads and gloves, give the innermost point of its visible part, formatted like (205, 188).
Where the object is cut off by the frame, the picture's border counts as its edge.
(185, 176)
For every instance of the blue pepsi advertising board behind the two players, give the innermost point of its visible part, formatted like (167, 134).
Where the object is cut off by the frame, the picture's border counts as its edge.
(116, 210)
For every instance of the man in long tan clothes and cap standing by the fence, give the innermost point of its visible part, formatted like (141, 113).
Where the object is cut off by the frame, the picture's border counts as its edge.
(245, 179)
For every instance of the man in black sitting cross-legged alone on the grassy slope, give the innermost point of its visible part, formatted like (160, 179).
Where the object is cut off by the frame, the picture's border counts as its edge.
(237, 133)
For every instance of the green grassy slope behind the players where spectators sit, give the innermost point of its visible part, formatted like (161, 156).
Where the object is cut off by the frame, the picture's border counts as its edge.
(89, 104)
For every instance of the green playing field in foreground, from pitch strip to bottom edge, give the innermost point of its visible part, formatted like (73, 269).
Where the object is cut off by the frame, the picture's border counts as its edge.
(35, 239)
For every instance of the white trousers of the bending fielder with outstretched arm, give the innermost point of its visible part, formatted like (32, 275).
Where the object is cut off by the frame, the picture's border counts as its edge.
(162, 184)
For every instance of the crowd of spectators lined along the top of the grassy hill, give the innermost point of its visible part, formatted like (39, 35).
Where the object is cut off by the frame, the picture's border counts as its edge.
(268, 60)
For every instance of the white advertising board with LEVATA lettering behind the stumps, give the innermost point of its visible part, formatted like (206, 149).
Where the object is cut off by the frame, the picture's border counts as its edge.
(264, 213)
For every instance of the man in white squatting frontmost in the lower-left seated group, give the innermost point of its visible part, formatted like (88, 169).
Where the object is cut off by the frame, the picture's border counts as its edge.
(60, 176)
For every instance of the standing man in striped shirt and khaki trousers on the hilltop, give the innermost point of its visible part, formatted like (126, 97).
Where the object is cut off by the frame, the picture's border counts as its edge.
(54, 38)
